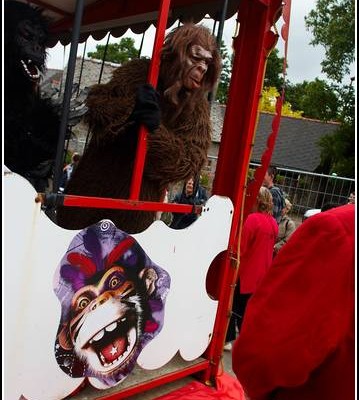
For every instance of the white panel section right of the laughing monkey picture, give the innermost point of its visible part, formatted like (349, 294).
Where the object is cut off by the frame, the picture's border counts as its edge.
(187, 254)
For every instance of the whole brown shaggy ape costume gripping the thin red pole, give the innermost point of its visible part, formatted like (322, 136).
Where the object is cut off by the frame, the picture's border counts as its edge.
(176, 146)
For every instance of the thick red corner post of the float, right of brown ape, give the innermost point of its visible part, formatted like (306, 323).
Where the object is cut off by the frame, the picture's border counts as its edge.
(256, 18)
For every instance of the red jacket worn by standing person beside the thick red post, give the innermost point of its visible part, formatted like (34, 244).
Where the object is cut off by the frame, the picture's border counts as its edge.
(259, 234)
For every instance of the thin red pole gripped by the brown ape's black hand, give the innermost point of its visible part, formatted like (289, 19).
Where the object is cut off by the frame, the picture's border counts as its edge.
(152, 79)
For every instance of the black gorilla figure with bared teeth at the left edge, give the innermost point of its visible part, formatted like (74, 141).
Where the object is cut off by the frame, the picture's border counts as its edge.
(31, 123)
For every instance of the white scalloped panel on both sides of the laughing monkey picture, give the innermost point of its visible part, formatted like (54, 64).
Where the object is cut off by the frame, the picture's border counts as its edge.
(33, 248)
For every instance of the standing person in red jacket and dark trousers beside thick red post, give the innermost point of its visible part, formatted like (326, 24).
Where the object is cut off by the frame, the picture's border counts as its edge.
(259, 234)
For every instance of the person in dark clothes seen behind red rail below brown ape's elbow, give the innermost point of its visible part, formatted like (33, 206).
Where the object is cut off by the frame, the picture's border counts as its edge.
(192, 193)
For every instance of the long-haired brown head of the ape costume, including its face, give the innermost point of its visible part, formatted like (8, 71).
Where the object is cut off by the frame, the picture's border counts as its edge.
(190, 61)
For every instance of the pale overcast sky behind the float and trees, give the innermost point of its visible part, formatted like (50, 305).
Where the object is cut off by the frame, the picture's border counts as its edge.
(303, 59)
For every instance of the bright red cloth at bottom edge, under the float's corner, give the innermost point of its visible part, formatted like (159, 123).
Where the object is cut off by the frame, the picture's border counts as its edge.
(228, 388)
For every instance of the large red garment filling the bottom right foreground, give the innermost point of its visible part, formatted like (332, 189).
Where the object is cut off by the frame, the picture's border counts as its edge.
(297, 338)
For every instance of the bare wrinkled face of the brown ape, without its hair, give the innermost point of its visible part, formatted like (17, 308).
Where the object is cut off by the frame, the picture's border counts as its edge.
(197, 62)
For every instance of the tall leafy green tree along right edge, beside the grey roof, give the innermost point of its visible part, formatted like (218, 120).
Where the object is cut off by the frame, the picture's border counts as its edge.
(333, 25)
